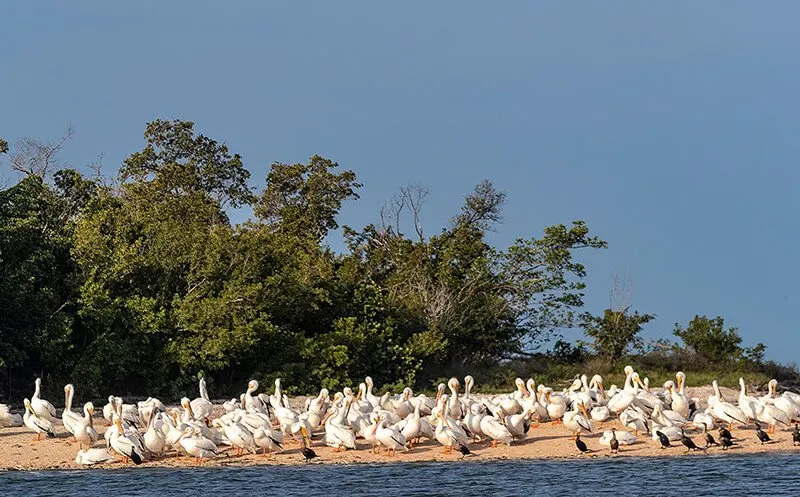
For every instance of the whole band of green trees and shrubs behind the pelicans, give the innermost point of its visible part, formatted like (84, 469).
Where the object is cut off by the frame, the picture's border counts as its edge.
(137, 281)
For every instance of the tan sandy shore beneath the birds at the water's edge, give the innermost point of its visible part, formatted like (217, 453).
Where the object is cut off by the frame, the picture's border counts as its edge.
(20, 451)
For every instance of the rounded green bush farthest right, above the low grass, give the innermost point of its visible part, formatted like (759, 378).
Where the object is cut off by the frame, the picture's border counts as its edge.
(708, 338)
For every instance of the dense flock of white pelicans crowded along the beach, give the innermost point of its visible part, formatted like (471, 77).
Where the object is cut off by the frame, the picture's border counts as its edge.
(267, 422)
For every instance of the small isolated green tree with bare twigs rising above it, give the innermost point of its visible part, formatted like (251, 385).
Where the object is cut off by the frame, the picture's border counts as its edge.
(615, 331)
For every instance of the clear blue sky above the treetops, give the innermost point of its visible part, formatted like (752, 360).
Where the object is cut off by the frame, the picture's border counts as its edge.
(670, 127)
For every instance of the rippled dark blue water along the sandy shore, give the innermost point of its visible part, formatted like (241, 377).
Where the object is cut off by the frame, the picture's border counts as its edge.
(762, 474)
